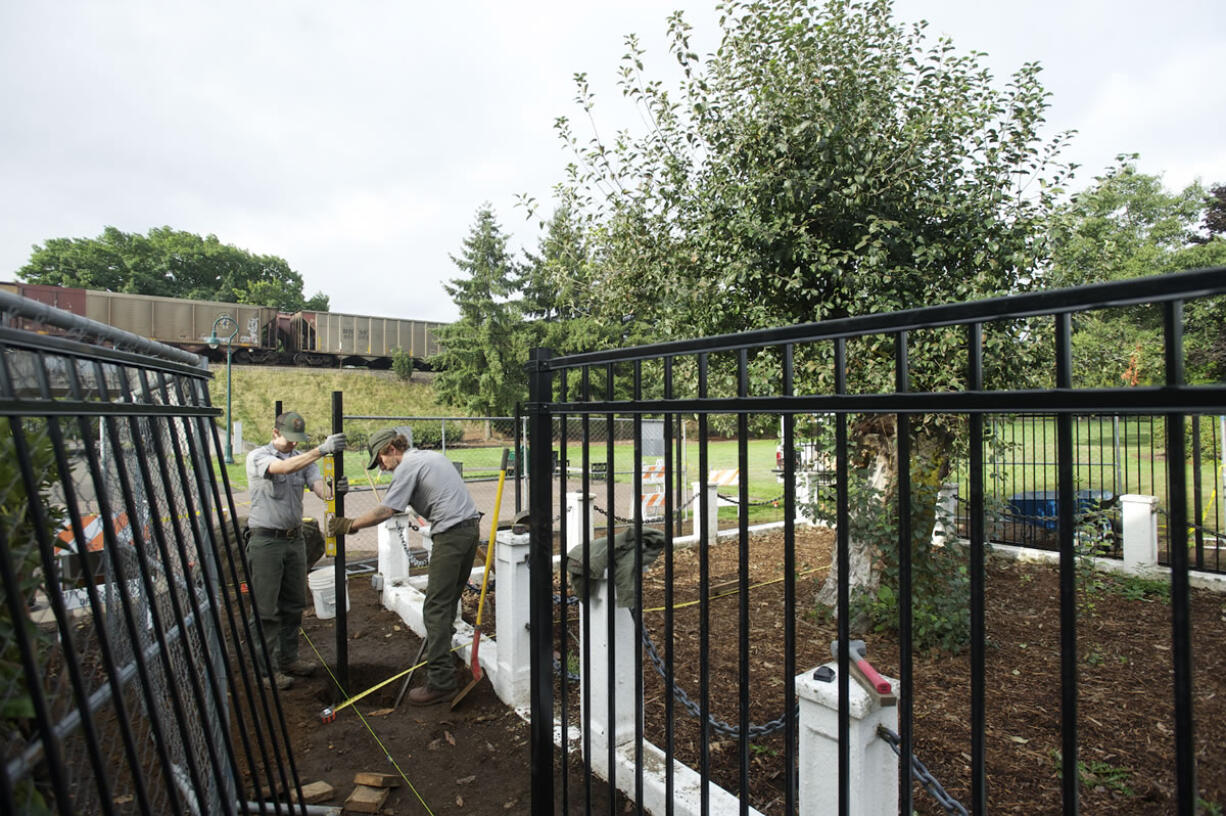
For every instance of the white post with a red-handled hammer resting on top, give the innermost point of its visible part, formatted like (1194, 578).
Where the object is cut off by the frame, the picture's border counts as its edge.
(875, 769)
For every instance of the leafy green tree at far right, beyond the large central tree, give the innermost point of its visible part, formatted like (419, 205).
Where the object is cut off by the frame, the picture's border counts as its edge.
(1127, 226)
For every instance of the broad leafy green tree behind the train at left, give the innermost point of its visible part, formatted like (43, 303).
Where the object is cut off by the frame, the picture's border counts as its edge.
(170, 264)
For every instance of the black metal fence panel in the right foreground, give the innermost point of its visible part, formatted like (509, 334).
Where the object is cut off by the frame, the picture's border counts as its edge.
(720, 378)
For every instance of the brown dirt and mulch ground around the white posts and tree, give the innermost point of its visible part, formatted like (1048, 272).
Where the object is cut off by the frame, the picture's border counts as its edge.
(476, 759)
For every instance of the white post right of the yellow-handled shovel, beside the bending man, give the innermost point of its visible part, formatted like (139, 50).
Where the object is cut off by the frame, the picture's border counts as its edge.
(513, 678)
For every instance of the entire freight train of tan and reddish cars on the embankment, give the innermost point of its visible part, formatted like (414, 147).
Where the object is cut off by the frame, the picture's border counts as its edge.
(264, 335)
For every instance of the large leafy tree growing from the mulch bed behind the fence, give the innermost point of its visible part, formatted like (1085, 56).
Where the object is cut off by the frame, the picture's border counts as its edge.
(824, 162)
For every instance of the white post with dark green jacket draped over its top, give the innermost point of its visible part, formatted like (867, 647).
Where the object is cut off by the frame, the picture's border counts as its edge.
(607, 655)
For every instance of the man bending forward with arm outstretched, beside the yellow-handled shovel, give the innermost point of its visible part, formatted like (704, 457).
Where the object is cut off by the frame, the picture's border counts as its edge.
(430, 483)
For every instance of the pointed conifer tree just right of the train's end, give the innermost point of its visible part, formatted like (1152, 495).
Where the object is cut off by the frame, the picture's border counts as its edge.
(481, 367)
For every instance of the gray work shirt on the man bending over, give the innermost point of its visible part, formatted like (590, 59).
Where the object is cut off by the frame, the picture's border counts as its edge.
(430, 483)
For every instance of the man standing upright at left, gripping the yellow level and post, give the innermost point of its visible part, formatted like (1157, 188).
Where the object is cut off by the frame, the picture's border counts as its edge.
(276, 553)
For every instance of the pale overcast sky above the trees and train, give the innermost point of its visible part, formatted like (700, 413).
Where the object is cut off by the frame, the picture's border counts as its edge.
(357, 140)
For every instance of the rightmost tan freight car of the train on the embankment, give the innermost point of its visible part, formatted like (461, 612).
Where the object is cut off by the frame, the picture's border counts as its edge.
(323, 338)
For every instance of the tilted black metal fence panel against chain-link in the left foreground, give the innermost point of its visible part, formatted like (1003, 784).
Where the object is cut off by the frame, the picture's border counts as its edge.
(127, 682)
